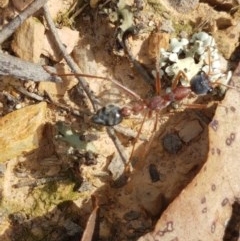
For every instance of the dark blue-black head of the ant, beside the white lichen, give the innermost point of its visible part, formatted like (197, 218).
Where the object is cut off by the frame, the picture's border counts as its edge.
(200, 84)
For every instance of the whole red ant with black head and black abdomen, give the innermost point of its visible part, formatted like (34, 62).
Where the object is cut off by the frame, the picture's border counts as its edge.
(111, 115)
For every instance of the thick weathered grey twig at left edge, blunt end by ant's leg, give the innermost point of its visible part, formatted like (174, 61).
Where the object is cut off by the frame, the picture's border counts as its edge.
(25, 70)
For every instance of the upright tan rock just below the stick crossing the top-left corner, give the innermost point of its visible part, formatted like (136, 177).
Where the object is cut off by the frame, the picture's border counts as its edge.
(28, 40)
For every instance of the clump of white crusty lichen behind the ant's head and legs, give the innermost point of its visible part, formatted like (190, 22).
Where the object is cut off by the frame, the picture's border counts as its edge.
(192, 56)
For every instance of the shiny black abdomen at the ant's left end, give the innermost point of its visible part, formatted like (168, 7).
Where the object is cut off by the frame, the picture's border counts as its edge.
(108, 116)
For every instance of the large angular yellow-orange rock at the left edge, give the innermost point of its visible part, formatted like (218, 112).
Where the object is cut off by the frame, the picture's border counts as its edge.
(21, 131)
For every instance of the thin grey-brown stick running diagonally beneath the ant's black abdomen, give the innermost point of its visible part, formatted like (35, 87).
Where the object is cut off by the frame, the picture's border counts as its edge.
(82, 82)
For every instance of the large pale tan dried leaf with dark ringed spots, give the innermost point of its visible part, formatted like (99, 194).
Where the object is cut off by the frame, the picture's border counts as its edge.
(203, 209)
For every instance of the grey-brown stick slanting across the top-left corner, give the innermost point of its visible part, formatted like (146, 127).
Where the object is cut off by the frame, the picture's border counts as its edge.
(10, 28)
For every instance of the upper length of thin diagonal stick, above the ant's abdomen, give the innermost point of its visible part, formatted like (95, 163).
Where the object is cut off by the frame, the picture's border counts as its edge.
(68, 58)
